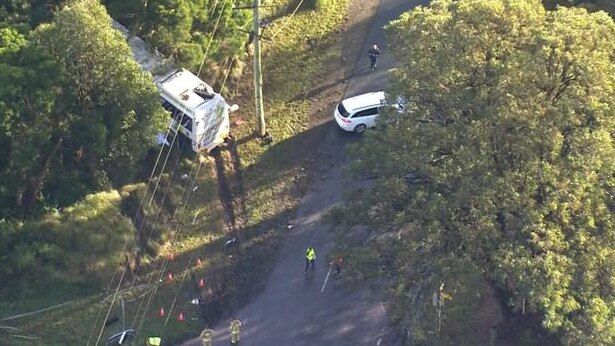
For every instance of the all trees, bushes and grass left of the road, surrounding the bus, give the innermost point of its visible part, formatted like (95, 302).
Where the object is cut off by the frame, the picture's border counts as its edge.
(89, 215)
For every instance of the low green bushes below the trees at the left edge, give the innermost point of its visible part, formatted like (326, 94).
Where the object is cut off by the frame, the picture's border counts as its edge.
(79, 245)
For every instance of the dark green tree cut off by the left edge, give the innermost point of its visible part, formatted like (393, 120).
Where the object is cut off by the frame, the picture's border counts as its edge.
(30, 120)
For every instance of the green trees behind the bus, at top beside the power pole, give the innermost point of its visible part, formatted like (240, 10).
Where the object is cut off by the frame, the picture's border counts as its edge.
(186, 29)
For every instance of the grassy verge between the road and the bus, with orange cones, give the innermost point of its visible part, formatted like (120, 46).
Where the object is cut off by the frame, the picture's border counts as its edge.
(292, 57)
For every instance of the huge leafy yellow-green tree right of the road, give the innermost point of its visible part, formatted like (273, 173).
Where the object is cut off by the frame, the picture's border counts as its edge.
(505, 153)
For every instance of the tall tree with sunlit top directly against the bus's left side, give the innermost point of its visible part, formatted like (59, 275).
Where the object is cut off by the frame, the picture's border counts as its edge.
(116, 101)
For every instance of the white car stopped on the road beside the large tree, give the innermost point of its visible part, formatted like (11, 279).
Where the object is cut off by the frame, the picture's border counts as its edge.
(355, 114)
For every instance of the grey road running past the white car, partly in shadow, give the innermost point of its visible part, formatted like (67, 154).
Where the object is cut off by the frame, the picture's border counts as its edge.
(295, 310)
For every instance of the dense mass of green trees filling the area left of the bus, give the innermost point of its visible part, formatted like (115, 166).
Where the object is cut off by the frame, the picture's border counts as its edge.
(76, 111)
